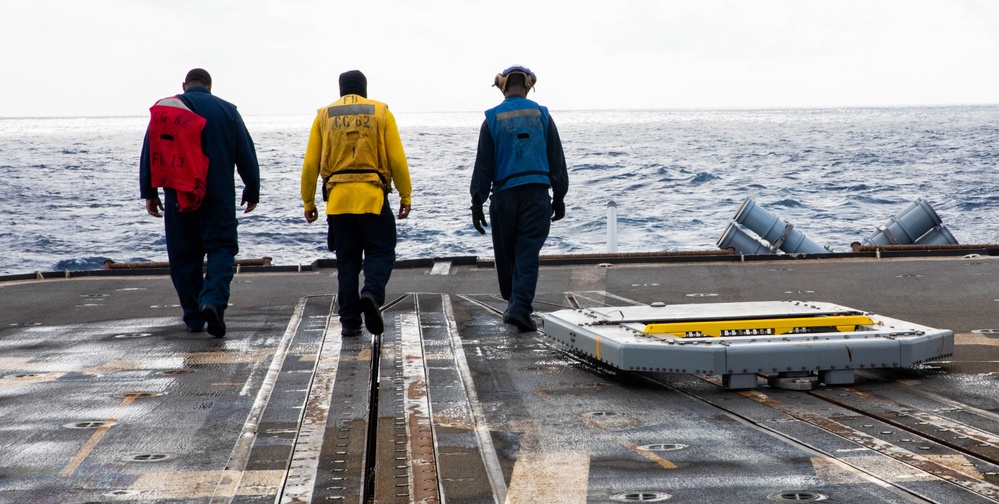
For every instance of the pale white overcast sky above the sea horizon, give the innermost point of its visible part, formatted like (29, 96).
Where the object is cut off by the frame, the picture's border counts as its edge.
(116, 57)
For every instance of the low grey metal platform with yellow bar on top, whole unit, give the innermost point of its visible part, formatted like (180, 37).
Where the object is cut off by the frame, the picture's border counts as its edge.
(794, 344)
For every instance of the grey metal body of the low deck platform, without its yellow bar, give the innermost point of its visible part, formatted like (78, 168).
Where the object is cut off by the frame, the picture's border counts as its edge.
(615, 336)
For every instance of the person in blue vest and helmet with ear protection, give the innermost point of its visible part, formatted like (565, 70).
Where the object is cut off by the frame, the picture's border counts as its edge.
(519, 158)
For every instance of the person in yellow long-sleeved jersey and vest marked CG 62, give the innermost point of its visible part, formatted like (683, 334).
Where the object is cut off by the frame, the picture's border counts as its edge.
(354, 146)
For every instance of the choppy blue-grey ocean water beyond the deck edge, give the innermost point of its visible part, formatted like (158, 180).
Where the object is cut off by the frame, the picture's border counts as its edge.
(69, 190)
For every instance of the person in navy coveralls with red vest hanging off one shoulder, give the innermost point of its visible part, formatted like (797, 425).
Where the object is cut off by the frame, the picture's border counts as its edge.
(209, 228)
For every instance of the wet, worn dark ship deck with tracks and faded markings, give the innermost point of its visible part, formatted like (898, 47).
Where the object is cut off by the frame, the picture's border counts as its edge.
(105, 398)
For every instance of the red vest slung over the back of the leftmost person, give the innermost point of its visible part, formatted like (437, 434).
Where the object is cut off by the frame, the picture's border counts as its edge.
(176, 159)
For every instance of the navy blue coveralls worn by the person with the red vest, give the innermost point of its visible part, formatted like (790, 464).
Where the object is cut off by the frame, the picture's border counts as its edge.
(211, 229)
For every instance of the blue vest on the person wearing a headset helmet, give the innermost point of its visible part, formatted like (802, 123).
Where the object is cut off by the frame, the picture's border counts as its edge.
(519, 128)
